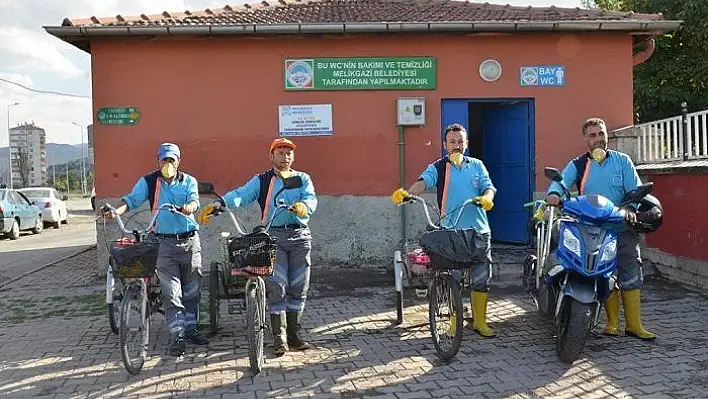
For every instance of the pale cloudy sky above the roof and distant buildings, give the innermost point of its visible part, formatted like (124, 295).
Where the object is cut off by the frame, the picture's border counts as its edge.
(33, 58)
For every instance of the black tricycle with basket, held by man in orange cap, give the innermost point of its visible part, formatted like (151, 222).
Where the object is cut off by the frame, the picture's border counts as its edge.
(250, 255)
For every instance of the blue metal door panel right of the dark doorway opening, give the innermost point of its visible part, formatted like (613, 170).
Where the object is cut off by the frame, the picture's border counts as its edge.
(506, 148)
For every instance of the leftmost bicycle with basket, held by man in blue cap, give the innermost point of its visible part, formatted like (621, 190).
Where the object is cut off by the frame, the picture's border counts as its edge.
(133, 261)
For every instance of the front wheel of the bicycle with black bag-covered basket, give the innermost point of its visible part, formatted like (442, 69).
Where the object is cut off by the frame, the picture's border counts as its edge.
(445, 310)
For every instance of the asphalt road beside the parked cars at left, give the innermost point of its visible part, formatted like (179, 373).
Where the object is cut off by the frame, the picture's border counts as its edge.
(31, 251)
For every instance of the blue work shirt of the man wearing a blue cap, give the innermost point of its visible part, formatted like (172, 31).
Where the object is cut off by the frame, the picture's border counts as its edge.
(181, 191)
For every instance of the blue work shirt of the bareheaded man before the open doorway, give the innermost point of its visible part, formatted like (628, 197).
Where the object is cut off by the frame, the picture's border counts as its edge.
(469, 180)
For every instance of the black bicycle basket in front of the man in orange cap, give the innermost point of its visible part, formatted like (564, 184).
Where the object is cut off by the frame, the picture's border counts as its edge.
(254, 252)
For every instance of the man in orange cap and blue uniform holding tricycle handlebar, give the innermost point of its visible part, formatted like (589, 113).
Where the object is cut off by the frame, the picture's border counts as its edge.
(288, 286)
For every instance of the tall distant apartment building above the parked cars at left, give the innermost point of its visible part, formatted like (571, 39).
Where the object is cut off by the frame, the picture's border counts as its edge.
(29, 155)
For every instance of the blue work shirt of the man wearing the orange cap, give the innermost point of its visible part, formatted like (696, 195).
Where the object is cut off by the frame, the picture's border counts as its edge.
(251, 191)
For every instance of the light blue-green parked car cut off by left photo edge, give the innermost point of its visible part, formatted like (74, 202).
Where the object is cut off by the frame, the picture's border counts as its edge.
(17, 213)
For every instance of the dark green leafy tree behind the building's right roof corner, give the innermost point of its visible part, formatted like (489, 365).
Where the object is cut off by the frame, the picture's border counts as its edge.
(678, 69)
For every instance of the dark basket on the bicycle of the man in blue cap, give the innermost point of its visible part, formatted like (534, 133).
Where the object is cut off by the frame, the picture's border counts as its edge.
(131, 259)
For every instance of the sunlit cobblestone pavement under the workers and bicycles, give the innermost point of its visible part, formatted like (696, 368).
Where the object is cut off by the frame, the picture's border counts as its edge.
(55, 343)
